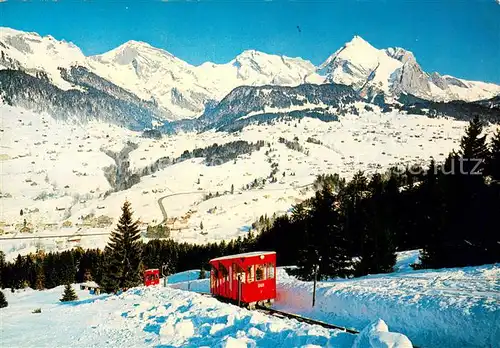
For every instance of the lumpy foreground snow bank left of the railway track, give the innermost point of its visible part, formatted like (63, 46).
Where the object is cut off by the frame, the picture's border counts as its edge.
(150, 316)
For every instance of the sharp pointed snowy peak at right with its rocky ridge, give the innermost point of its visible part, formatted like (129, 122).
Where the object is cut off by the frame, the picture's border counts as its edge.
(394, 71)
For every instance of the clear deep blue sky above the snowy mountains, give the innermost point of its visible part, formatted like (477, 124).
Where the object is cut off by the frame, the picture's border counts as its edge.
(460, 38)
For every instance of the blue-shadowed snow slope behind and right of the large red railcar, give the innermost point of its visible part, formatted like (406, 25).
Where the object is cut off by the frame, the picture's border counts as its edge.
(445, 308)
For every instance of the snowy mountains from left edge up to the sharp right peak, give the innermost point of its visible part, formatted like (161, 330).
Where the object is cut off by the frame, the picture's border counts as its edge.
(181, 90)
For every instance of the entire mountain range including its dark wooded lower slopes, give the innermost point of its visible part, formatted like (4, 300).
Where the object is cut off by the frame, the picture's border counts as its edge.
(137, 85)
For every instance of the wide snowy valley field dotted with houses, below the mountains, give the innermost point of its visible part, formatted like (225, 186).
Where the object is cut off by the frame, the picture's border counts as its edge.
(54, 173)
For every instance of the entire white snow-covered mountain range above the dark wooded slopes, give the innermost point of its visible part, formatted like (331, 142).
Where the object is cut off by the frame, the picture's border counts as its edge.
(158, 80)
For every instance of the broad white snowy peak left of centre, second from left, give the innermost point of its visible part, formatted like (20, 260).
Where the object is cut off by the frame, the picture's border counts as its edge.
(154, 74)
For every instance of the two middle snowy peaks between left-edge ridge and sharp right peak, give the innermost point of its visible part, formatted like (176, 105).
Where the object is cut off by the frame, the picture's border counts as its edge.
(183, 89)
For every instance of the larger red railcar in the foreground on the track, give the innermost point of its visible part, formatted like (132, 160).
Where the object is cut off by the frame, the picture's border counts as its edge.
(246, 279)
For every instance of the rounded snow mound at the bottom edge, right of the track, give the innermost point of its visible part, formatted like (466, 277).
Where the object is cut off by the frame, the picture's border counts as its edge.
(377, 335)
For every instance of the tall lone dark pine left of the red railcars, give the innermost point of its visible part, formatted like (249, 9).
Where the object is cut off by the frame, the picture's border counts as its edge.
(123, 255)
